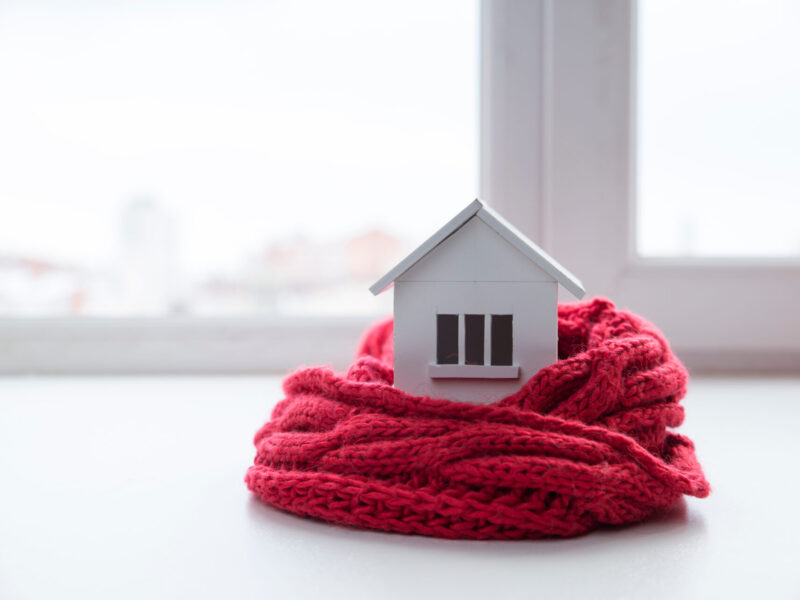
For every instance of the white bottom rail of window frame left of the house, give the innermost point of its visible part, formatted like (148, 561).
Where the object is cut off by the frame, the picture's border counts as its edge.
(176, 344)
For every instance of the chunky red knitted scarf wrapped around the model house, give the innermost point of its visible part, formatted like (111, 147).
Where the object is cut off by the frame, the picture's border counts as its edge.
(582, 443)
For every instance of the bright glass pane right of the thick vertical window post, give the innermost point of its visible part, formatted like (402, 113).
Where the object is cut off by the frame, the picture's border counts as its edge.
(719, 128)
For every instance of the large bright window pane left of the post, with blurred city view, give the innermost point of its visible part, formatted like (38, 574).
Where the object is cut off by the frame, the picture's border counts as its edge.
(227, 156)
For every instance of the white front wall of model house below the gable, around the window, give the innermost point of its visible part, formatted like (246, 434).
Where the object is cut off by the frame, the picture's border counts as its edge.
(416, 304)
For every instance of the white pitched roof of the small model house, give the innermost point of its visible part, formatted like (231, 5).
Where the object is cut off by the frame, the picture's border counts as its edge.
(505, 229)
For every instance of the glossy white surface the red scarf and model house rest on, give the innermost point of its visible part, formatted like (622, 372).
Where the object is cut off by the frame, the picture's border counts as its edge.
(132, 488)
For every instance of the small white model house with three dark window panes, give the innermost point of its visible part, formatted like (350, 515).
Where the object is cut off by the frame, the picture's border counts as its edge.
(474, 309)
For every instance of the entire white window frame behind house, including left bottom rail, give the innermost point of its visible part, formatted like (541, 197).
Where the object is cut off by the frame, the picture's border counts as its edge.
(558, 159)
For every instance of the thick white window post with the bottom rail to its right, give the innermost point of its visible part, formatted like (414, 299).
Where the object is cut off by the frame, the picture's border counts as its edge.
(558, 158)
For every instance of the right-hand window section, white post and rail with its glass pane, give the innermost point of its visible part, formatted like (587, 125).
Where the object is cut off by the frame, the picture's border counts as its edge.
(589, 160)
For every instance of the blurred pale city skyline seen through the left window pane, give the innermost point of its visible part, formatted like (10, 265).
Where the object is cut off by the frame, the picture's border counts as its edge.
(291, 275)
